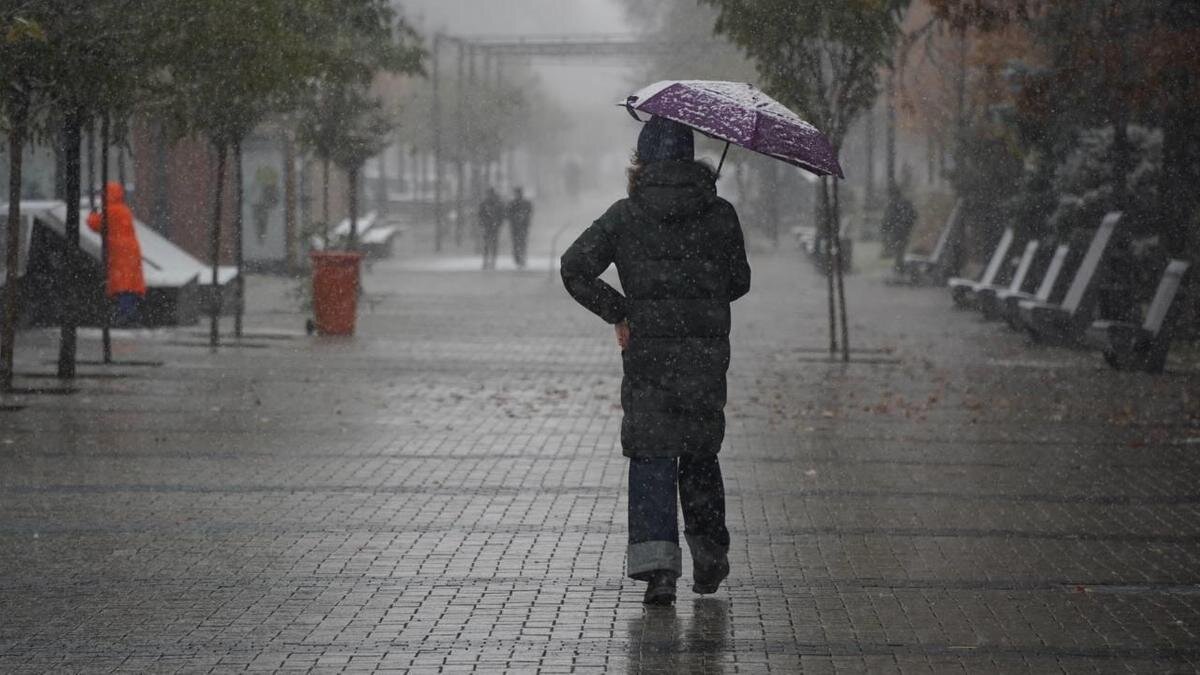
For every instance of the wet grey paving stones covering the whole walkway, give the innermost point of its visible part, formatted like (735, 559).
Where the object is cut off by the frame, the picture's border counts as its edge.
(445, 493)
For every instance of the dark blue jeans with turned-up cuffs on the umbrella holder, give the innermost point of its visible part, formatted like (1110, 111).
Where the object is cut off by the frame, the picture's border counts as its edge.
(653, 528)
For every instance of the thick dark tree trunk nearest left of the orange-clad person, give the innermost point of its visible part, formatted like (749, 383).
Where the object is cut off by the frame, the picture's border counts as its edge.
(73, 141)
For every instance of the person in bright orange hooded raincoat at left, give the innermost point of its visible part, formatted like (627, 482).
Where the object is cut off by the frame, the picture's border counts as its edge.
(127, 284)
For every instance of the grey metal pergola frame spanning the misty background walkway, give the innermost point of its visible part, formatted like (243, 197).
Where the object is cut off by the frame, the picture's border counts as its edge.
(470, 51)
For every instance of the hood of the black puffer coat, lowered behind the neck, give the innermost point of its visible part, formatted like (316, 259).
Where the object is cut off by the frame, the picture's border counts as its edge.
(675, 190)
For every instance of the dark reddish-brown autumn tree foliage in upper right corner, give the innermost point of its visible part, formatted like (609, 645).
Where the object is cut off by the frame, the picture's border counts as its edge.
(1103, 64)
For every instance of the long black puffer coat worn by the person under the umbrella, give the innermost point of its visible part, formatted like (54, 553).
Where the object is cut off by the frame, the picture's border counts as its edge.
(681, 258)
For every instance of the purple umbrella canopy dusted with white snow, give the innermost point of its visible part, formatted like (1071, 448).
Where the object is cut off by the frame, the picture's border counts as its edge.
(741, 115)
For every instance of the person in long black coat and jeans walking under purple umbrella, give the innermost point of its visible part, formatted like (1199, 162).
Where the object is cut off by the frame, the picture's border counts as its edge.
(681, 256)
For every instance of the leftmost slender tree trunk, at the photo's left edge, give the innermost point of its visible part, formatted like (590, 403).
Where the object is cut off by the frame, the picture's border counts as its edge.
(17, 122)
